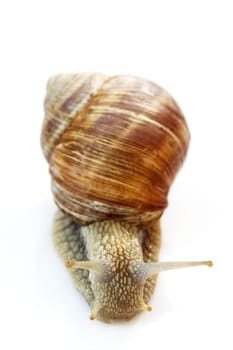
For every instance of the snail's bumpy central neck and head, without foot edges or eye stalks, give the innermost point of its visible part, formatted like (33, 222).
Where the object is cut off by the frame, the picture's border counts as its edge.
(115, 248)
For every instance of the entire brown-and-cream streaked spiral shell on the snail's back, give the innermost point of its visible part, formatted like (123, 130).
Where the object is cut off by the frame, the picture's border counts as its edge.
(114, 145)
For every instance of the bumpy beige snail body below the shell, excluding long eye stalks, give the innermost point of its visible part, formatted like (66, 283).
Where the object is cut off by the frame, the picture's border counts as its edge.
(113, 294)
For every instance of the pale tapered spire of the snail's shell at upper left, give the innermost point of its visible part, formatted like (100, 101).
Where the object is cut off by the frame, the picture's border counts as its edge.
(66, 96)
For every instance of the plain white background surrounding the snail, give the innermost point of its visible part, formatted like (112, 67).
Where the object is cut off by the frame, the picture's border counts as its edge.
(186, 47)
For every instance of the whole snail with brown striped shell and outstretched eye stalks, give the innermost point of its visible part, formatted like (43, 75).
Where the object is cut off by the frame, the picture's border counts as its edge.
(114, 146)
